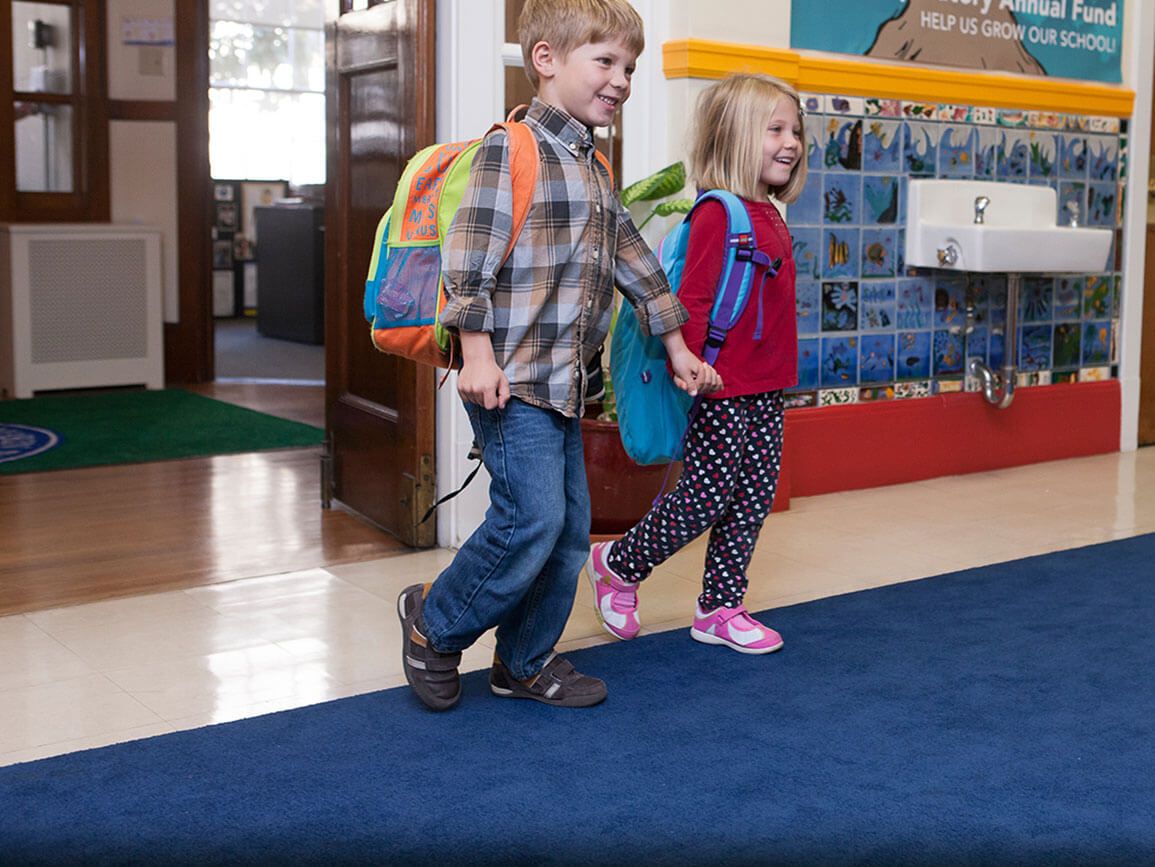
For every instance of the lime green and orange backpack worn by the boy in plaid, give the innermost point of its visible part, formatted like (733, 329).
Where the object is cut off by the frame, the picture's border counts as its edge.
(404, 290)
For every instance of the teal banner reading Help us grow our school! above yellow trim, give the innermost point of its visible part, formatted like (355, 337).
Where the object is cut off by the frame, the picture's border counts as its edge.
(1062, 39)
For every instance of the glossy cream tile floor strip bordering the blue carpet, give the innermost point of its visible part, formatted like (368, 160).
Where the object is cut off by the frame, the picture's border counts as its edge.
(94, 675)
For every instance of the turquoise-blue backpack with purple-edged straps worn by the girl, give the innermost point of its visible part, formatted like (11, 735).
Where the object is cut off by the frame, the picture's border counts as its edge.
(653, 413)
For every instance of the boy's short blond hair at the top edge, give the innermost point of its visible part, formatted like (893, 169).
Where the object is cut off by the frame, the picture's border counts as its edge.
(568, 25)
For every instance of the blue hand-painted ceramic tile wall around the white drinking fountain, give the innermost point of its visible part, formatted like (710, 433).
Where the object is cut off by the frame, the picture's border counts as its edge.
(870, 328)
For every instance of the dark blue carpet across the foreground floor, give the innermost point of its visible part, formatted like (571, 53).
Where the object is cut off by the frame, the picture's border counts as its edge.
(1000, 715)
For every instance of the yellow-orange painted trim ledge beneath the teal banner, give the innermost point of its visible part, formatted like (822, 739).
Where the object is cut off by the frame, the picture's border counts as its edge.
(824, 74)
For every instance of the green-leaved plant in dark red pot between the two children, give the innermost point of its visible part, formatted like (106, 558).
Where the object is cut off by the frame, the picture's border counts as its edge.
(622, 492)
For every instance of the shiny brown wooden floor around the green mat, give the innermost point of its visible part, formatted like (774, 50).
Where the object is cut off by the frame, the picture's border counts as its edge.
(76, 536)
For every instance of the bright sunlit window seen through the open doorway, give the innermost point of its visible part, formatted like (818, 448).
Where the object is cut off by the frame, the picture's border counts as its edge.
(267, 89)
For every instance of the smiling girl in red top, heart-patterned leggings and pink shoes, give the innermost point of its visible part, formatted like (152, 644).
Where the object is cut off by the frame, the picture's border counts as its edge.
(748, 140)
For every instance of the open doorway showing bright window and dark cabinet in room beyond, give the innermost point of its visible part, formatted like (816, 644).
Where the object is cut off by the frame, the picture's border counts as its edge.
(267, 155)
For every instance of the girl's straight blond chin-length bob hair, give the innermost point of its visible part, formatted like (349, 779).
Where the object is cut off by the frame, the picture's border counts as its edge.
(727, 145)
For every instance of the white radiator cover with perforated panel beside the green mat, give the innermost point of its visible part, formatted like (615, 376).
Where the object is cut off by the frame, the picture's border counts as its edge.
(80, 308)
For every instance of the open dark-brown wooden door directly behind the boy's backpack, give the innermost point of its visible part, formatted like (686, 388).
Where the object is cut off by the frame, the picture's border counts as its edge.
(379, 410)
